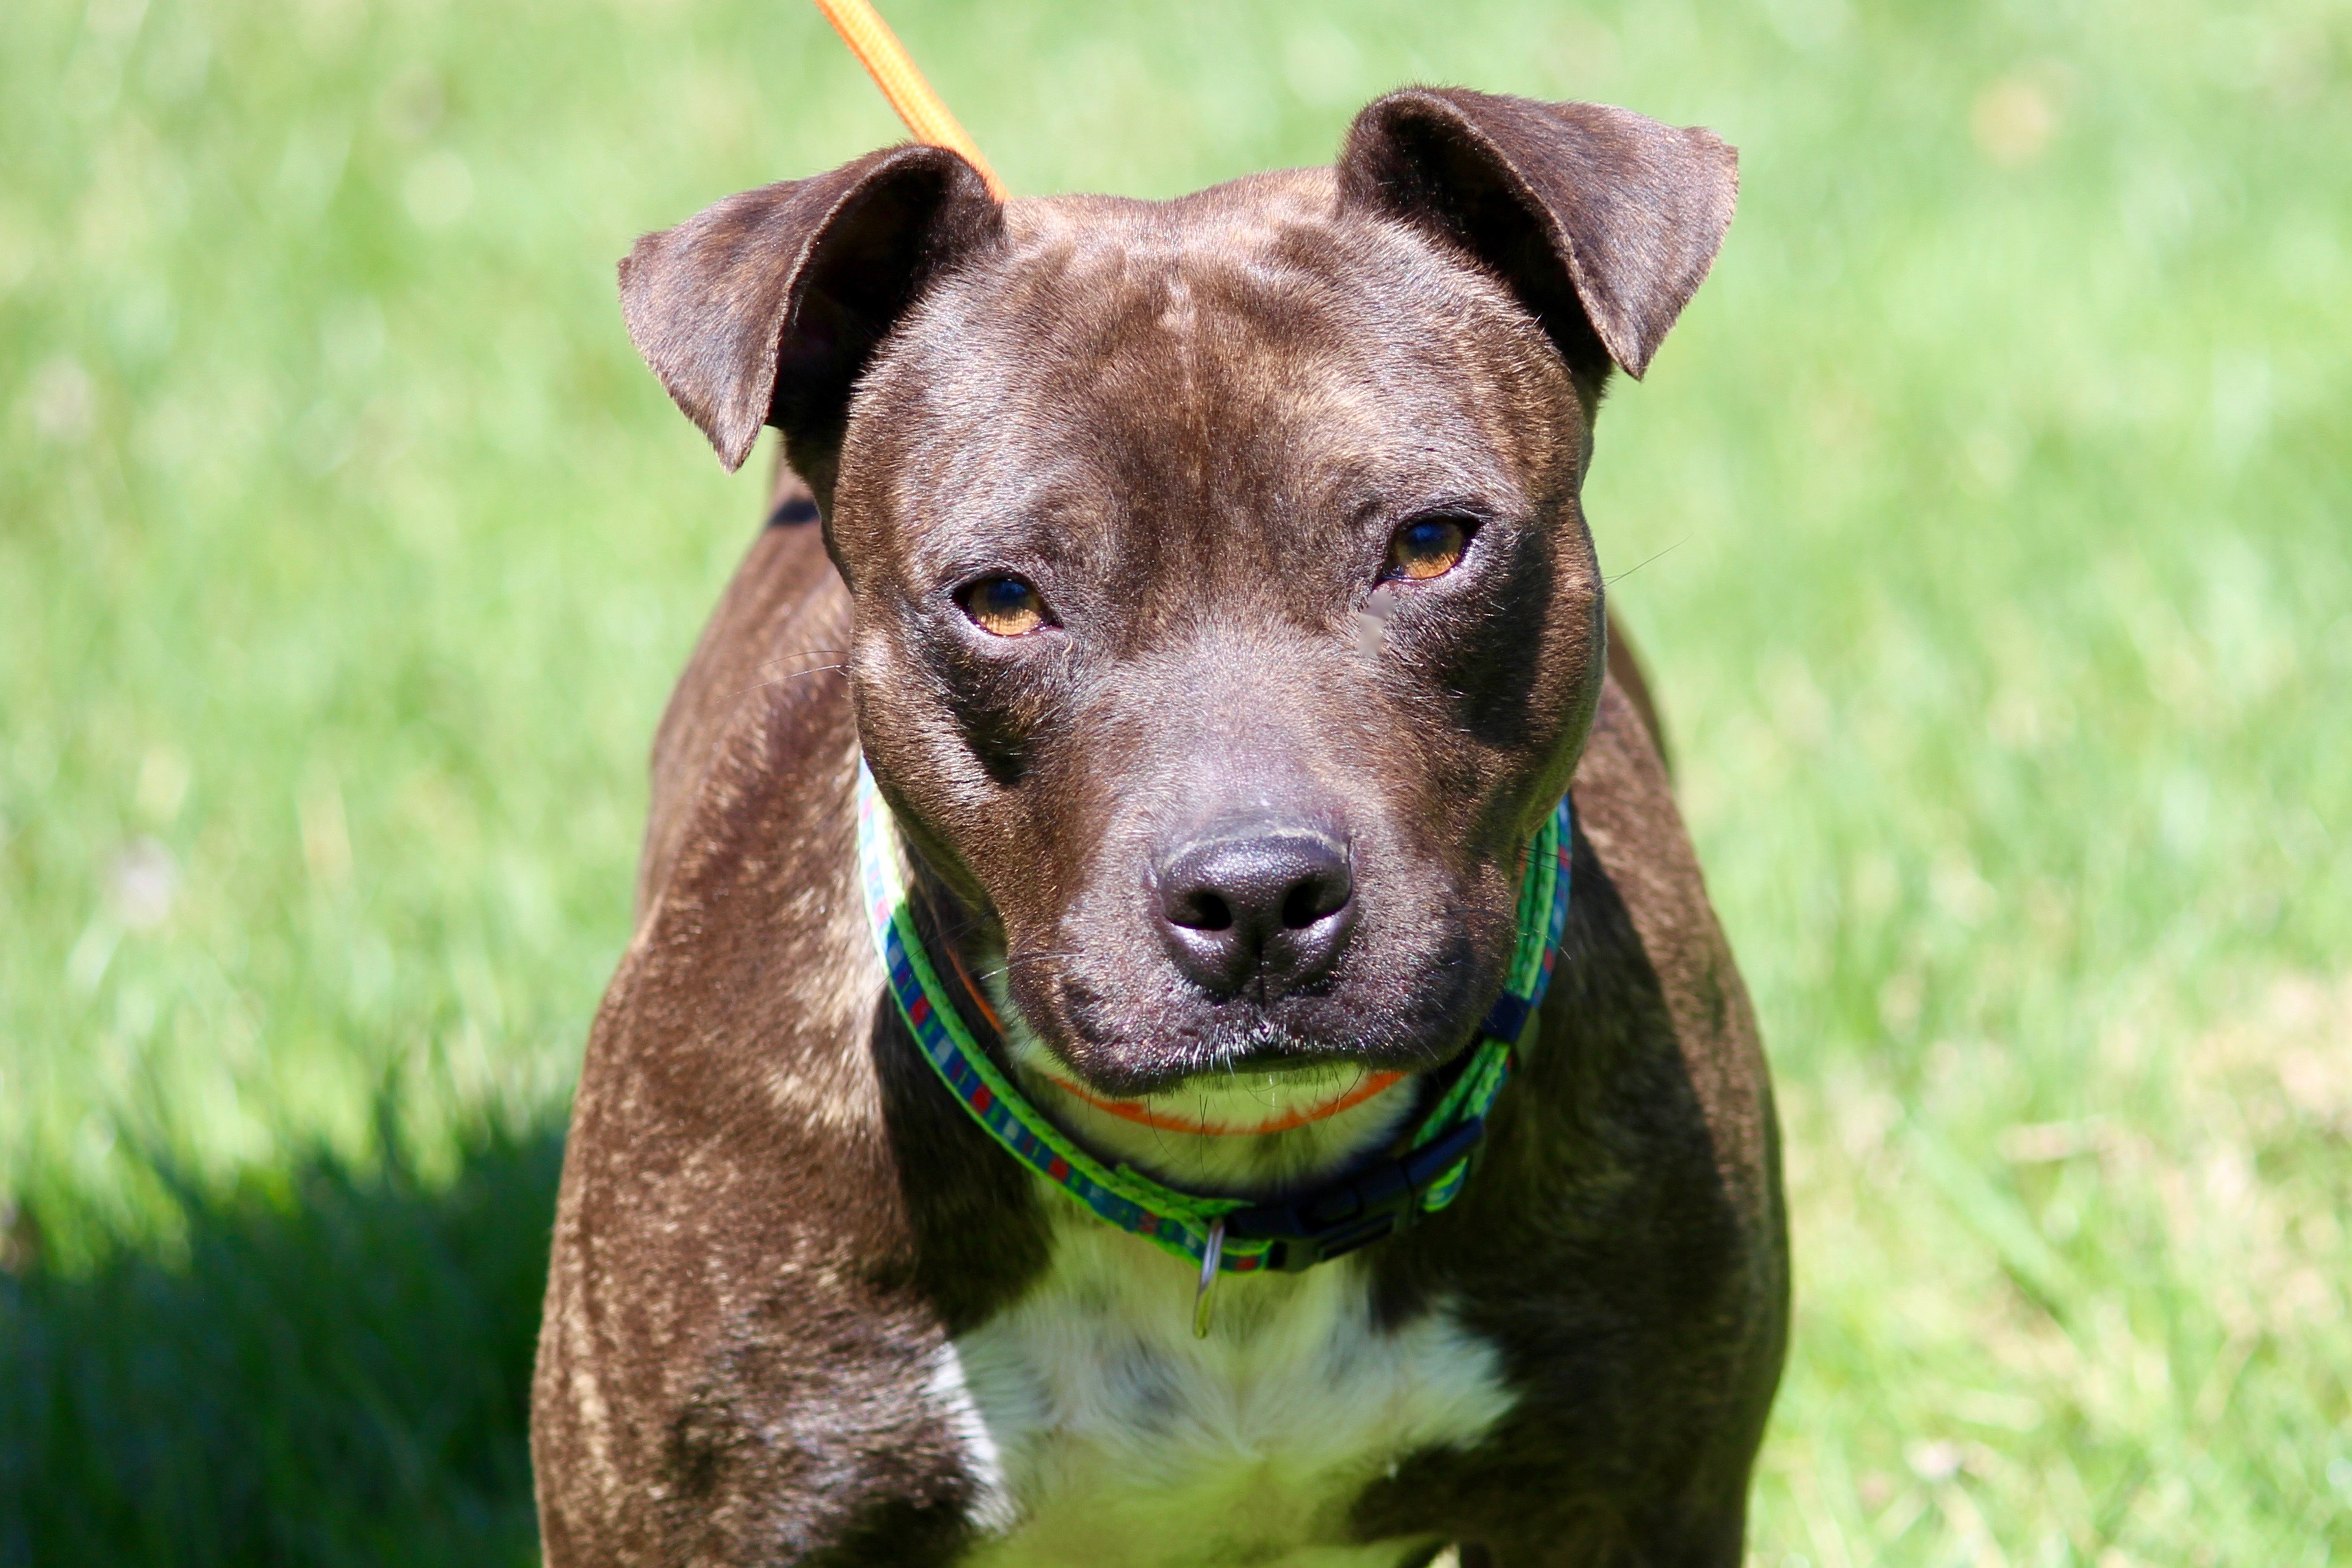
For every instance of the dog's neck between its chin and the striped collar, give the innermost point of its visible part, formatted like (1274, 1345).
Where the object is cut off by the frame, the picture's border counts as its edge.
(1238, 1134)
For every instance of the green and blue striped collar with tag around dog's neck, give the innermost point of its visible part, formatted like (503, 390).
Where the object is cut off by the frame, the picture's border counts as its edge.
(1217, 1233)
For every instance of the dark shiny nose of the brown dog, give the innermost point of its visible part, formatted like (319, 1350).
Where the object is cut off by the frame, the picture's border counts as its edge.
(1262, 909)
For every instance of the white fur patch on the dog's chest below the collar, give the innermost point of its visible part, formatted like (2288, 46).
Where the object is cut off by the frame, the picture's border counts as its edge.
(1116, 1440)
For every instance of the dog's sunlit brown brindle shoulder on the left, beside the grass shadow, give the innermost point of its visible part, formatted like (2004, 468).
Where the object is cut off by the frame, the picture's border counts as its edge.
(735, 1313)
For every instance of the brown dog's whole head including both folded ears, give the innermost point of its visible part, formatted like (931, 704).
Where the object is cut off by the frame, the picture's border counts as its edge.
(1227, 619)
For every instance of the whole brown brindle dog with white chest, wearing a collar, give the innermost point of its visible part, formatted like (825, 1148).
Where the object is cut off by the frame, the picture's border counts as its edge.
(1147, 742)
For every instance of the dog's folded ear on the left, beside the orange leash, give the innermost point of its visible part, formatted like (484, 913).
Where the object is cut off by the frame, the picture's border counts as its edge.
(763, 309)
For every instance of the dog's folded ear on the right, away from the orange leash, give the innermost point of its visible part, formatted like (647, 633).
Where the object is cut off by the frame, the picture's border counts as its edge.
(1603, 222)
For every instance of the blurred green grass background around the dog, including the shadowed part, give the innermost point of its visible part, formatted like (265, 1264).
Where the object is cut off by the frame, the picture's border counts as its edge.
(1986, 528)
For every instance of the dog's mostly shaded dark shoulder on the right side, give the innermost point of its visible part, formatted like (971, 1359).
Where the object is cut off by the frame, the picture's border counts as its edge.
(1622, 1247)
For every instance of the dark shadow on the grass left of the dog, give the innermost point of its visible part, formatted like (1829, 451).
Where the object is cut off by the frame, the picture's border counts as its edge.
(335, 1374)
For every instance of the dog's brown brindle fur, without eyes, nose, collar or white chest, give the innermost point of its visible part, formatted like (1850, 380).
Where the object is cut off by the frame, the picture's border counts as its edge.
(1194, 424)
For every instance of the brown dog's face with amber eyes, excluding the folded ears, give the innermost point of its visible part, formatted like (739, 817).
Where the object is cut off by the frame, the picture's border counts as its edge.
(1227, 622)
